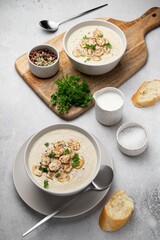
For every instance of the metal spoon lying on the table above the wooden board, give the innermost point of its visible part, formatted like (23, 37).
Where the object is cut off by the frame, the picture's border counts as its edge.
(53, 26)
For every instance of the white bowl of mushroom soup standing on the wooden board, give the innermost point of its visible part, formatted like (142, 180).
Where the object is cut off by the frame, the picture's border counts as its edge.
(94, 47)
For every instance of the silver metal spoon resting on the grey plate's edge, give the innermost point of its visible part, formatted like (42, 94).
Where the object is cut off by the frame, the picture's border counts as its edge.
(101, 182)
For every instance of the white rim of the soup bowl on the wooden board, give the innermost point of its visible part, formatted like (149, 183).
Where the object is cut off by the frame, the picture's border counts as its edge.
(95, 21)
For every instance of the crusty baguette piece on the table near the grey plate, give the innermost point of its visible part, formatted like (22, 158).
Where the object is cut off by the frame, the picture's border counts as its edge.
(116, 212)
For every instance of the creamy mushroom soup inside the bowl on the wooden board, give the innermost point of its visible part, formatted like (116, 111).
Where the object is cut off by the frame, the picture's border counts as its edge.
(94, 45)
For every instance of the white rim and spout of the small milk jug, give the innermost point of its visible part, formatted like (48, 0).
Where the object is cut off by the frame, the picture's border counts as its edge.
(110, 89)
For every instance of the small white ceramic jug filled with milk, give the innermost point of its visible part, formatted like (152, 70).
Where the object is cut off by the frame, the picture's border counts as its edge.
(109, 104)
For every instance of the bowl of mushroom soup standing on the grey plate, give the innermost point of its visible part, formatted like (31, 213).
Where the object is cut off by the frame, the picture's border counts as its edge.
(62, 159)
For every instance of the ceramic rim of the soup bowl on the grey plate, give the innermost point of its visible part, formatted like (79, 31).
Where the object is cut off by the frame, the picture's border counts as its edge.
(55, 127)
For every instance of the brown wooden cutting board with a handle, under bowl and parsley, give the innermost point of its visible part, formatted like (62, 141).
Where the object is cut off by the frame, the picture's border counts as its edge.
(134, 58)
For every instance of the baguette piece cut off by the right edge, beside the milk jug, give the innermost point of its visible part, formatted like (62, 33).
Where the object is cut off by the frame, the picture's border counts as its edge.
(148, 94)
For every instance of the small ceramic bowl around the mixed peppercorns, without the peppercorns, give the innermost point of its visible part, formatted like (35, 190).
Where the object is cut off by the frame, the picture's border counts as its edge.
(44, 71)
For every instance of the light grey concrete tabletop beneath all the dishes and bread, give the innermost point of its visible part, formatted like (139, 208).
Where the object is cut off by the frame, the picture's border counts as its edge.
(22, 113)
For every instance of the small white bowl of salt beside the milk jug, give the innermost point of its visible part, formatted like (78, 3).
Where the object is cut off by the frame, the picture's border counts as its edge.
(132, 139)
